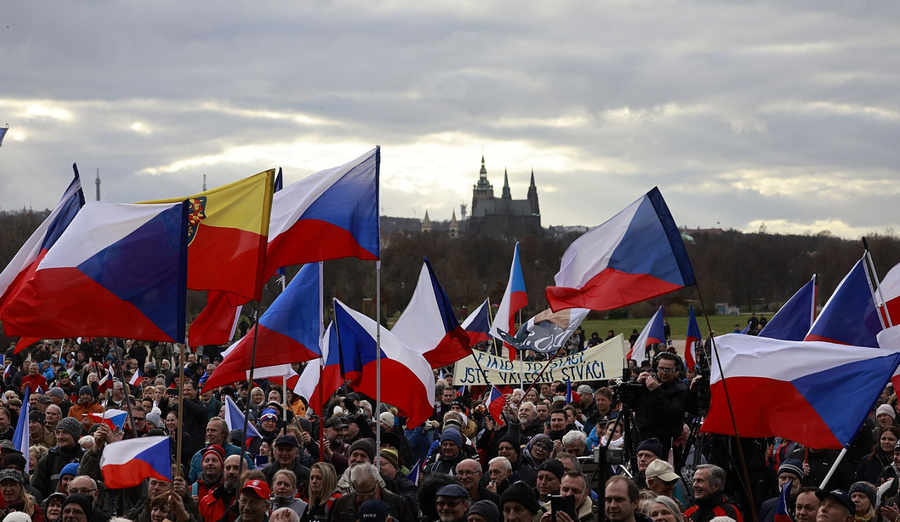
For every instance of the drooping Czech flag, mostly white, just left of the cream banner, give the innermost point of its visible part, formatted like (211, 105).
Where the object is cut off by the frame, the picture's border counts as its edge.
(428, 324)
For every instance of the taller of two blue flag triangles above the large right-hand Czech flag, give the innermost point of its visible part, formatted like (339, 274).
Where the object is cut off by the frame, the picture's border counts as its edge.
(850, 315)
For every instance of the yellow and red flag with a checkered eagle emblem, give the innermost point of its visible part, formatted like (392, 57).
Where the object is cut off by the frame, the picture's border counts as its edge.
(227, 232)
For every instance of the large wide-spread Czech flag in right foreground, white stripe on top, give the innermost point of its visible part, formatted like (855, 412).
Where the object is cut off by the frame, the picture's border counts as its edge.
(814, 393)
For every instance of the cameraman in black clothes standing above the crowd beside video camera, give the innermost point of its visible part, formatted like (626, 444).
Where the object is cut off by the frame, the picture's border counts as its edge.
(659, 405)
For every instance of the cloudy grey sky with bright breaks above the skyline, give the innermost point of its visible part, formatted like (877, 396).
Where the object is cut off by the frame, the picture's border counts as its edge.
(743, 113)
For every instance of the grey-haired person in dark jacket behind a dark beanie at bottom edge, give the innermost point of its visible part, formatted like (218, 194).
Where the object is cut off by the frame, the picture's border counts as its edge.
(365, 481)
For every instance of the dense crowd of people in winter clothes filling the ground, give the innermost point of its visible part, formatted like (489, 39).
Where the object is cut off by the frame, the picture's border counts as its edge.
(556, 452)
